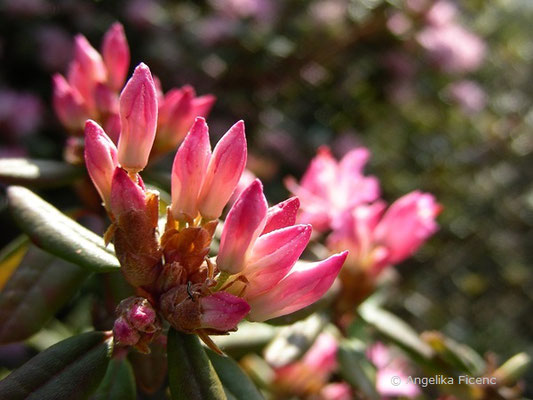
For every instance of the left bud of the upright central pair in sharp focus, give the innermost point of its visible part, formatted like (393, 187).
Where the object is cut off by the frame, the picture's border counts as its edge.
(188, 170)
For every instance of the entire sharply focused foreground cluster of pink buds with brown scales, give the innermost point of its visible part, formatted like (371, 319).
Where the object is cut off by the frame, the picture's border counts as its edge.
(256, 273)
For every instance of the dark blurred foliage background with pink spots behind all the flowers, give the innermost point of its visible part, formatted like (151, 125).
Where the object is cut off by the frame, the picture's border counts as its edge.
(343, 73)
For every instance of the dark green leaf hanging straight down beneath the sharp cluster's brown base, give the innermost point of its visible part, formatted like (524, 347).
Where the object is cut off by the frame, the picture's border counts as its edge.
(191, 374)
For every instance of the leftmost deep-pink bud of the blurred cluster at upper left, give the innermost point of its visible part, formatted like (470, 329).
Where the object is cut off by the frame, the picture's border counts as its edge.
(68, 104)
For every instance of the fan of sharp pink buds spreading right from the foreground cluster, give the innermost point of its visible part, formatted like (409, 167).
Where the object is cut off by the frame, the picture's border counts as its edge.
(264, 266)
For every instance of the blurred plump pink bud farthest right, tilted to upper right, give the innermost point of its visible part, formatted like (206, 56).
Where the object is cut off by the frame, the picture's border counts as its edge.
(407, 224)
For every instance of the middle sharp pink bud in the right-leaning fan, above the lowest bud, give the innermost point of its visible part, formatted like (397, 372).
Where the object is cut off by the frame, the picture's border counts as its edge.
(273, 255)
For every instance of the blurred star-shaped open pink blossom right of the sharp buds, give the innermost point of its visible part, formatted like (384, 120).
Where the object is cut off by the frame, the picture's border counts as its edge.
(330, 188)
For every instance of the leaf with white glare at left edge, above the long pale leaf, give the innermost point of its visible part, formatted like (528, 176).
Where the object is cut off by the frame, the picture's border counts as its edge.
(37, 173)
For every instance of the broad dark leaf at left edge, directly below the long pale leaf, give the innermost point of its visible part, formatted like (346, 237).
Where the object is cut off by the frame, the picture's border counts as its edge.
(35, 292)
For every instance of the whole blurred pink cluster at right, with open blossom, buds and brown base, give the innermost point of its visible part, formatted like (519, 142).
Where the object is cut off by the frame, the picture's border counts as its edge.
(336, 196)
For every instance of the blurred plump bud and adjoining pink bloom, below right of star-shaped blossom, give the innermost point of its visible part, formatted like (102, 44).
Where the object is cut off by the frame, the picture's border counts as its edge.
(377, 238)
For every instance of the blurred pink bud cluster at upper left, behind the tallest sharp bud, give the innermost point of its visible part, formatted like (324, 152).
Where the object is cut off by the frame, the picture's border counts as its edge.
(92, 87)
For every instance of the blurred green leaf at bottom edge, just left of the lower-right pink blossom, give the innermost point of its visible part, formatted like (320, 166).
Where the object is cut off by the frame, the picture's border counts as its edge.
(356, 369)
